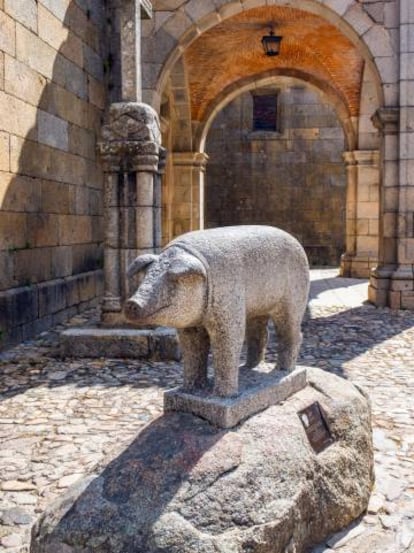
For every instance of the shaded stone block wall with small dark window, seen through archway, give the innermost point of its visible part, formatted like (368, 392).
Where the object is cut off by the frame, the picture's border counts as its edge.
(293, 178)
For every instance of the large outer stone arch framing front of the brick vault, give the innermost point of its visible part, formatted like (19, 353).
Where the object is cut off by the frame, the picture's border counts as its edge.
(179, 29)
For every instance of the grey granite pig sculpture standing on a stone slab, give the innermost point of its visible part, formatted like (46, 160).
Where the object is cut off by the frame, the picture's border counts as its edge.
(219, 285)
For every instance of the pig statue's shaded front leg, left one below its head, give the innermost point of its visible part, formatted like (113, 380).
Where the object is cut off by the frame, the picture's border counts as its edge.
(195, 345)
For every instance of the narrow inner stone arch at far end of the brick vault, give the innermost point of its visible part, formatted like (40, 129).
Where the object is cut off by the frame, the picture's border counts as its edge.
(230, 93)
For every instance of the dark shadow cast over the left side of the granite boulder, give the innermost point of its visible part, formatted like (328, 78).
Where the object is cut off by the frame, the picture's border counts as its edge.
(117, 510)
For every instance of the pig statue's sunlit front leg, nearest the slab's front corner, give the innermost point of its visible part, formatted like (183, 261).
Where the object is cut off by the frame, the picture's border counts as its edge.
(226, 337)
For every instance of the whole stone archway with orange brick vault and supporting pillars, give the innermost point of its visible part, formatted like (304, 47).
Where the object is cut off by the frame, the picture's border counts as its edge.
(195, 53)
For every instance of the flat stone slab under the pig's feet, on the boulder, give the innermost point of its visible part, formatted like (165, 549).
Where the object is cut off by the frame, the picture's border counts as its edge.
(258, 389)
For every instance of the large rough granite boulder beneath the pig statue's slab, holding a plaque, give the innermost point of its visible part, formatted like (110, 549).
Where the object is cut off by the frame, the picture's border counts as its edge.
(184, 486)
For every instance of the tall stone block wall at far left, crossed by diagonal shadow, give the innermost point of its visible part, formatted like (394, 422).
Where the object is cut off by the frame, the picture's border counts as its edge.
(52, 96)
